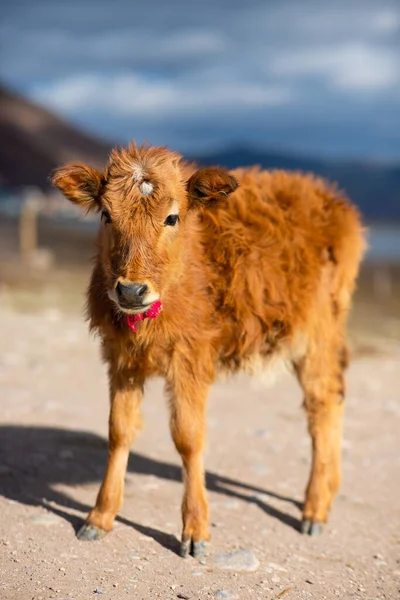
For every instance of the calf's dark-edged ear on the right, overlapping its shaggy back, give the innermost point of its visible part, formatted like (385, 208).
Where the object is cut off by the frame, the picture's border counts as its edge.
(209, 185)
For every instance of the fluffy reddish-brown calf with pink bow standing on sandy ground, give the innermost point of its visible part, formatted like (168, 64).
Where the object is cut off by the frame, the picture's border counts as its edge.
(235, 270)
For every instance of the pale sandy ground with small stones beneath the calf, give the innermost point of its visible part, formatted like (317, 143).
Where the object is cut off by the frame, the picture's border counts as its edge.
(54, 405)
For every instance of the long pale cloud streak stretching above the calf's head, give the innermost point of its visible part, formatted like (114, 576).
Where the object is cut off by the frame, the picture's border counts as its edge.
(135, 95)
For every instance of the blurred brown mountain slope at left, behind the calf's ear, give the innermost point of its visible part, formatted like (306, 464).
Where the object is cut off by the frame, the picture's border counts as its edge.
(34, 142)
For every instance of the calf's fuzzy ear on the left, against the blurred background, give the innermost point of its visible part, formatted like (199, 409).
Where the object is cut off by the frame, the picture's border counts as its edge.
(80, 184)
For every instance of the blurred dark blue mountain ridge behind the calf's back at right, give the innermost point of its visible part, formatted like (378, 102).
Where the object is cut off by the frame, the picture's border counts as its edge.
(374, 187)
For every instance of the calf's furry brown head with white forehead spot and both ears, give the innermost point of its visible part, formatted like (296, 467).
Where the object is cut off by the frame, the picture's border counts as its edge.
(144, 197)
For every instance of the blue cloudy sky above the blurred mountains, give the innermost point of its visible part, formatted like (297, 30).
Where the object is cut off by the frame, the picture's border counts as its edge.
(312, 77)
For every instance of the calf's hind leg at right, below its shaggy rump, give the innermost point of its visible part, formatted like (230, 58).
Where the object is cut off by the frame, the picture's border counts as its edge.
(320, 374)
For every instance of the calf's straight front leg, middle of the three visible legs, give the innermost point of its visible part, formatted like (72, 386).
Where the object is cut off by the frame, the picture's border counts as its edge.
(188, 414)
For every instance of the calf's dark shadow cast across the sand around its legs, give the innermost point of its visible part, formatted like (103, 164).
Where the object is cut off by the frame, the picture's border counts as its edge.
(34, 459)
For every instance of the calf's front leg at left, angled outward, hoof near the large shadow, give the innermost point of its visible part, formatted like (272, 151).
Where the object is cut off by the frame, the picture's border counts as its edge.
(126, 396)
